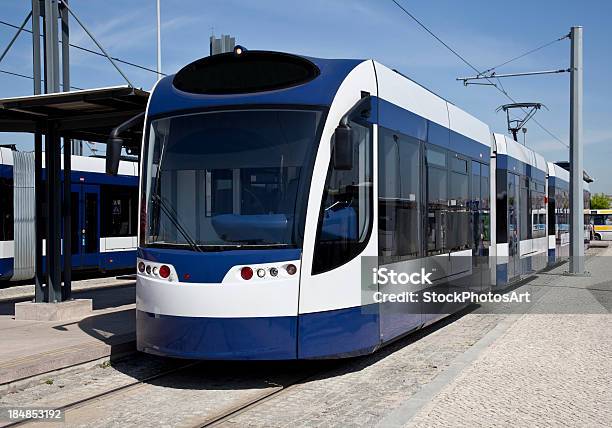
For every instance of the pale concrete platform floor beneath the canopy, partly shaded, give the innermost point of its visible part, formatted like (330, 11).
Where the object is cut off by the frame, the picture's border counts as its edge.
(30, 348)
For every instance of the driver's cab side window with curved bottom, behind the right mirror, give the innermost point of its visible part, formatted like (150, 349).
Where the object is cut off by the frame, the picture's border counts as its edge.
(346, 209)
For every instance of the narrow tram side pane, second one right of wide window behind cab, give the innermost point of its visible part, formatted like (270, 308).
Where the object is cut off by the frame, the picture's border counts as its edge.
(459, 224)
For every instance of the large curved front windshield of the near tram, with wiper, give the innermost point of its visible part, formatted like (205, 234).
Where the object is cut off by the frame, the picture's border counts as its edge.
(229, 179)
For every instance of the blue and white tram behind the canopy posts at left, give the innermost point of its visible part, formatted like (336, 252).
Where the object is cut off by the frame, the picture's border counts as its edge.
(104, 215)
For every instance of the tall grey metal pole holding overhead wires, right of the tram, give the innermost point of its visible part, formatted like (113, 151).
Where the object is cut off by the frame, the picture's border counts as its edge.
(576, 264)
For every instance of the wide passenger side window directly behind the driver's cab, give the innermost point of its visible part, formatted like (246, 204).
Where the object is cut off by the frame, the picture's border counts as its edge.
(398, 196)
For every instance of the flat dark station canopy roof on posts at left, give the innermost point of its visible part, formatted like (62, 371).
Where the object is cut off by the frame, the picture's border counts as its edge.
(88, 115)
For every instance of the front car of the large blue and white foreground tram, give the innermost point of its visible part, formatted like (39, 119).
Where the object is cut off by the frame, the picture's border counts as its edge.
(265, 179)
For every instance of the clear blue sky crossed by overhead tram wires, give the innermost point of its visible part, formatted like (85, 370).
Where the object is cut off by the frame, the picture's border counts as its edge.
(485, 33)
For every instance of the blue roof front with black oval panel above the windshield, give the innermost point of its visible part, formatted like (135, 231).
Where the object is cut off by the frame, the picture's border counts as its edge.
(250, 77)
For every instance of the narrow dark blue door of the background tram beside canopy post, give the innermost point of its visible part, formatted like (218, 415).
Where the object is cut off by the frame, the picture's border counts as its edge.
(85, 227)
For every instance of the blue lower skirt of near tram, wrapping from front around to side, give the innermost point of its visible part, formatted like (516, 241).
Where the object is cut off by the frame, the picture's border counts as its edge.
(332, 334)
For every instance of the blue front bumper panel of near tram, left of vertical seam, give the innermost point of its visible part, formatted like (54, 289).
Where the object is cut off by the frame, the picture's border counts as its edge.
(265, 338)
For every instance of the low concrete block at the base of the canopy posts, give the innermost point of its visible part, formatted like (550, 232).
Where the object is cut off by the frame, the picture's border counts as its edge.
(62, 311)
